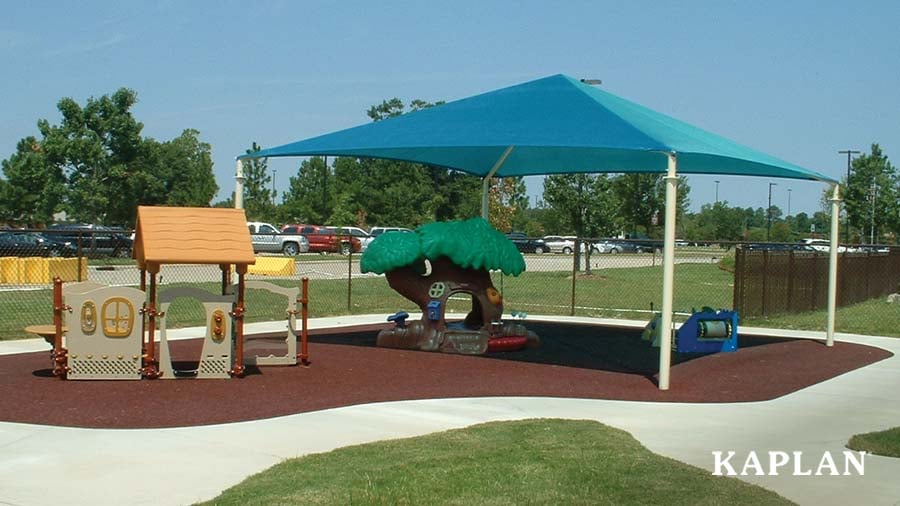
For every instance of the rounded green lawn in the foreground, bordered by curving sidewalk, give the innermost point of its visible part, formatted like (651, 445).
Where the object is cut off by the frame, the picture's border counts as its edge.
(501, 463)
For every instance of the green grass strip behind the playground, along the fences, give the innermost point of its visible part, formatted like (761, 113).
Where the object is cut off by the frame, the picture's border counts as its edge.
(611, 293)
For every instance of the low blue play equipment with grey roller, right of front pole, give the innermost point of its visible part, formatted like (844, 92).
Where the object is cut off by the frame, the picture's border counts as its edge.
(708, 331)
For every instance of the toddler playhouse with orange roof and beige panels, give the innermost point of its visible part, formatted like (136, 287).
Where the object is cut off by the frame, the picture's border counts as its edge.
(110, 331)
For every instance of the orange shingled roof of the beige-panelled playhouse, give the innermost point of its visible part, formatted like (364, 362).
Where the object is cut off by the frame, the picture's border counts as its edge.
(192, 235)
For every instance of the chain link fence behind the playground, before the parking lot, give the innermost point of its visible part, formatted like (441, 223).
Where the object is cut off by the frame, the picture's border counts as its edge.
(599, 281)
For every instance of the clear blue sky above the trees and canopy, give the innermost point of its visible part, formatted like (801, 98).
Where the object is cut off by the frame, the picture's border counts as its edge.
(799, 80)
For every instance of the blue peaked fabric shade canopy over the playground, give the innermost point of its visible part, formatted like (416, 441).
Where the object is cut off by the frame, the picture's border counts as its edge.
(554, 125)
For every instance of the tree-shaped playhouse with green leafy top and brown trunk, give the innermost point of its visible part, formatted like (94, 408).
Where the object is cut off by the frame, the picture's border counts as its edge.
(441, 260)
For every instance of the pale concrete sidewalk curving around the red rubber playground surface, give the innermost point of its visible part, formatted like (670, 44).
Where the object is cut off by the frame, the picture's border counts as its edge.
(42, 464)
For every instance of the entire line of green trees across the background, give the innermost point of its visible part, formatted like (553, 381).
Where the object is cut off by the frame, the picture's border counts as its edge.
(97, 166)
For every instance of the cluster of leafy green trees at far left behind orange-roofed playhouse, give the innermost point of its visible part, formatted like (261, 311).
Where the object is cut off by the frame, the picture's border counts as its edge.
(96, 166)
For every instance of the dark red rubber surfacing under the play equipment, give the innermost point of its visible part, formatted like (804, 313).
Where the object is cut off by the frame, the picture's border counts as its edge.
(580, 361)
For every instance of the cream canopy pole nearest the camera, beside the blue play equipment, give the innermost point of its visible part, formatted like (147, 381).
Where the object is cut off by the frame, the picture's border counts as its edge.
(665, 340)
